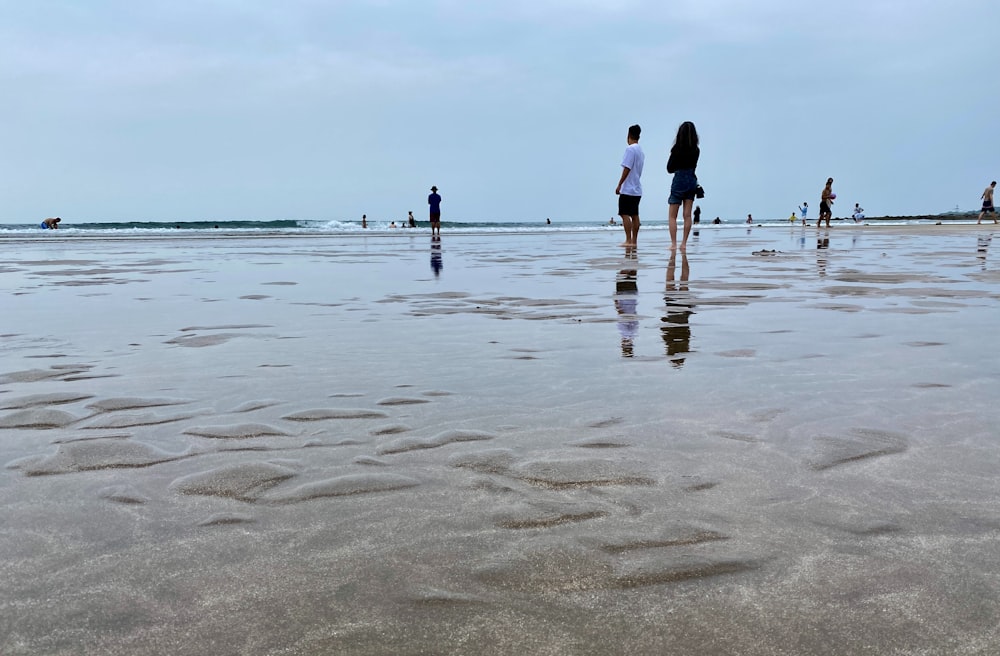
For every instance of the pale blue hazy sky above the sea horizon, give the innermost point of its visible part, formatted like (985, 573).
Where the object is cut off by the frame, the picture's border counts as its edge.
(518, 110)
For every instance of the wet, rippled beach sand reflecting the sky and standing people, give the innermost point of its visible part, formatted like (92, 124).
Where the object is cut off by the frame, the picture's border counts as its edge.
(784, 443)
